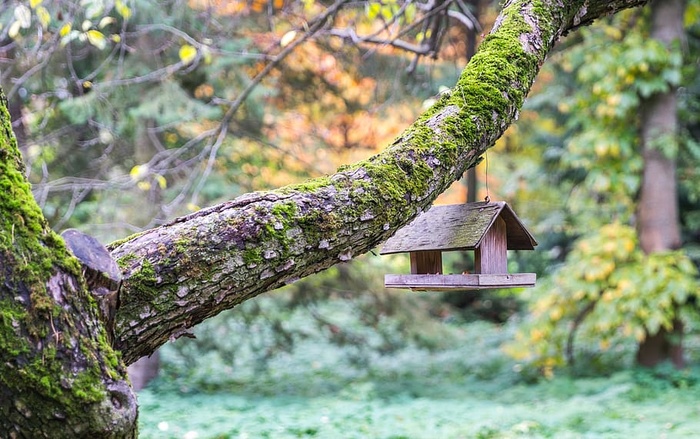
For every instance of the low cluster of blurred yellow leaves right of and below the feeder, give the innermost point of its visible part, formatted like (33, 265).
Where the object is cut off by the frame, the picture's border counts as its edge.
(608, 290)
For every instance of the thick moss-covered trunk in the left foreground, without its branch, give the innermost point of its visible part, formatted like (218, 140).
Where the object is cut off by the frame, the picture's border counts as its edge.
(59, 377)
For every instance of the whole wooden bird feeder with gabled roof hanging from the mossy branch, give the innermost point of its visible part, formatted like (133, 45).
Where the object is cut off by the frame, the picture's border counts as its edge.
(488, 229)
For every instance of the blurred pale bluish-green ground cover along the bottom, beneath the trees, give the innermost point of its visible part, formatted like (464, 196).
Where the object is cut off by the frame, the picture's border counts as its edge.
(469, 391)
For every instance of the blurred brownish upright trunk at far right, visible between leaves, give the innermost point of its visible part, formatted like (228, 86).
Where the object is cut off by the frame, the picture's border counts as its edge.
(658, 224)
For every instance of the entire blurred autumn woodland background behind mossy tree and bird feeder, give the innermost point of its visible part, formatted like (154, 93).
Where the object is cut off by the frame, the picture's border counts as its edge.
(130, 113)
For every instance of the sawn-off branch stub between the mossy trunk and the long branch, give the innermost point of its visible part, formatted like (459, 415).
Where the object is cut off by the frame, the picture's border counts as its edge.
(101, 273)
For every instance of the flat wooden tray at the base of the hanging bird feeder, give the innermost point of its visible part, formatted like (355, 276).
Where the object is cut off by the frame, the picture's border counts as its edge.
(457, 282)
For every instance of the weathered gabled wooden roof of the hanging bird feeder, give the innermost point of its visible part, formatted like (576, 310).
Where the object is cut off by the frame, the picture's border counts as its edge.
(459, 227)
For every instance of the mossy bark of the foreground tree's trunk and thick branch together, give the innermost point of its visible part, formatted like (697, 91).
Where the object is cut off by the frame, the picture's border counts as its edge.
(58, 375)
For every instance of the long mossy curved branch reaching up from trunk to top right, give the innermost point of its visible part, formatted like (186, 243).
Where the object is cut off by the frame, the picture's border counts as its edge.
(181, 273)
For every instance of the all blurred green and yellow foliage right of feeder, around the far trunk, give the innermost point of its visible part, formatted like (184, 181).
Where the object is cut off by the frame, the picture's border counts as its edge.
(581, 192)
